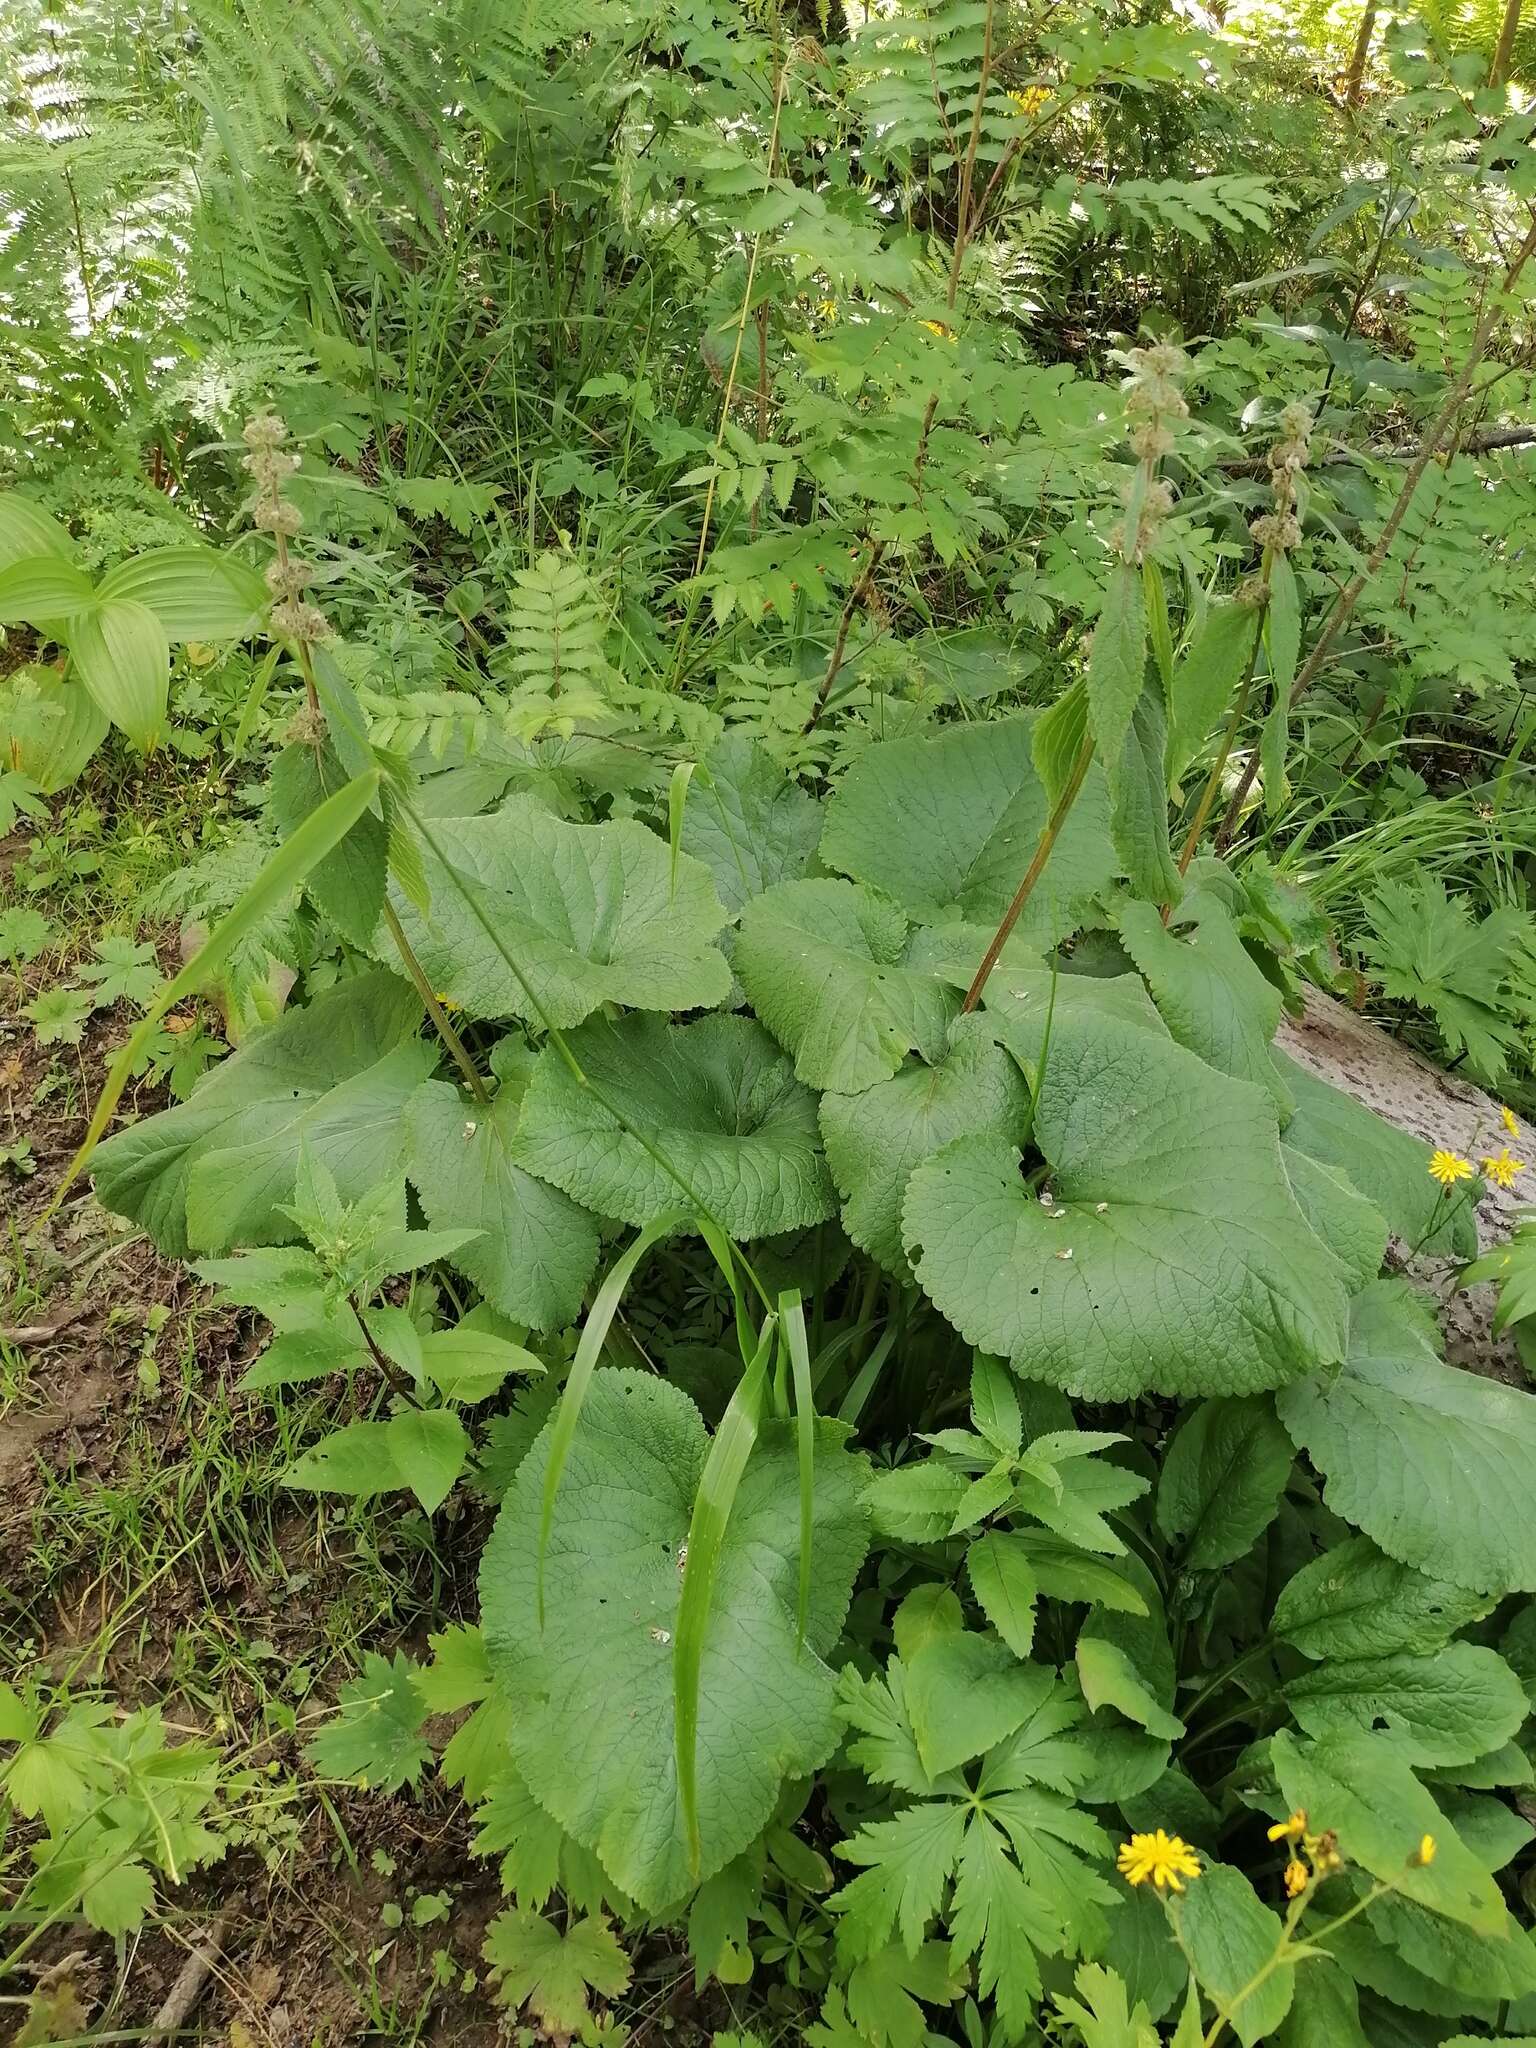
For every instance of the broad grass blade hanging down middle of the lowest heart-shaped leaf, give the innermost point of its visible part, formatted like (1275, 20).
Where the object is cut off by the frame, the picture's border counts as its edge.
(718, 1488)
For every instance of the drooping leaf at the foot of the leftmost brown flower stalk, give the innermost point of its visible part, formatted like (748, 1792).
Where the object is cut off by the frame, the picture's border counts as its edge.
(536, 1250)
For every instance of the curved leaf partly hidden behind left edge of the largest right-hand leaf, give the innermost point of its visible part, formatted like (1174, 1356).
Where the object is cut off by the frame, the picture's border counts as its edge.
(880, 1138)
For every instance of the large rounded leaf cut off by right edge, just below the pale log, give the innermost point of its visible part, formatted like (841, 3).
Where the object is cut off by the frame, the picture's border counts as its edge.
(1433, 1463)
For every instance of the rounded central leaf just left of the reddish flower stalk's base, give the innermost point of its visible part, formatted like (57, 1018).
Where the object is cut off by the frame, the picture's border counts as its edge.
(835, 976)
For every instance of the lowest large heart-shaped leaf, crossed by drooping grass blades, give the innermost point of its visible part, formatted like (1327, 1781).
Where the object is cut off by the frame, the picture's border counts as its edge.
(601, 1758)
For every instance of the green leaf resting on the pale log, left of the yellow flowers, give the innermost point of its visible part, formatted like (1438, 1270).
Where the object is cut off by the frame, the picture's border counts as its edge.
(1385, 1164)
